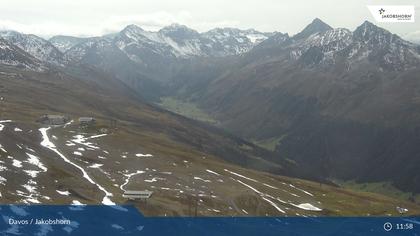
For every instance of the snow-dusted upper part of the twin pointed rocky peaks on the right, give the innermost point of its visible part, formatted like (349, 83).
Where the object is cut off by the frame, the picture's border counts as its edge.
(320, 44)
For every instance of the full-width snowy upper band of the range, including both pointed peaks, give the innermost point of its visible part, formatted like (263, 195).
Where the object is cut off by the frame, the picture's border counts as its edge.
(318, 43)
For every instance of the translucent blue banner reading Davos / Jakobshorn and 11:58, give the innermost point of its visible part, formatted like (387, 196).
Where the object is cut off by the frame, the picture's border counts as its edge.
(127, 220)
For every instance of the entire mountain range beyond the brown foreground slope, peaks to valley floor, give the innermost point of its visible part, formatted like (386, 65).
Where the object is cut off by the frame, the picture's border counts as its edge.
(340, 103)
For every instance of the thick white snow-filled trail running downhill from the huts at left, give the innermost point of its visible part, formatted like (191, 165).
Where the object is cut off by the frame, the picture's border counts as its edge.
(48, 144)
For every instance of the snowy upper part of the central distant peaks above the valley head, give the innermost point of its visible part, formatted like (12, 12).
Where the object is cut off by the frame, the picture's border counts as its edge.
(174, 41)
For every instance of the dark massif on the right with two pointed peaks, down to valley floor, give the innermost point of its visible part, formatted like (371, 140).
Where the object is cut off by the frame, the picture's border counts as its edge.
(342, 104)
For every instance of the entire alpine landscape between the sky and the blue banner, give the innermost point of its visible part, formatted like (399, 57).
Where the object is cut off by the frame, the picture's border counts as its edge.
(226, 122)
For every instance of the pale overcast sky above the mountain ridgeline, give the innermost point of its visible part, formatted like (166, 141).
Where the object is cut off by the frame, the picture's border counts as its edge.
(97, 17)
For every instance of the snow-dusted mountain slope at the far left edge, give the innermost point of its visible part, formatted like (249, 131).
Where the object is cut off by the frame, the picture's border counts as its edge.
(35, 46)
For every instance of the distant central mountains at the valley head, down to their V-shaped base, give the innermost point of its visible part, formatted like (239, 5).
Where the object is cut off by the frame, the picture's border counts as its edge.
(146, 60)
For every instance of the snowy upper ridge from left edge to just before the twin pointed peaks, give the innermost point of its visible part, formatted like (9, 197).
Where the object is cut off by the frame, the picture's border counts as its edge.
(137, 45)
